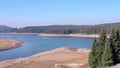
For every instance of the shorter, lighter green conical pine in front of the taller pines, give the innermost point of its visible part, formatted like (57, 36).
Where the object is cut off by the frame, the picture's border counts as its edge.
(107, 57)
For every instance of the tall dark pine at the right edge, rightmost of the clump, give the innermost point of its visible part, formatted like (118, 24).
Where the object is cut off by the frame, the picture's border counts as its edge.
(115, 39)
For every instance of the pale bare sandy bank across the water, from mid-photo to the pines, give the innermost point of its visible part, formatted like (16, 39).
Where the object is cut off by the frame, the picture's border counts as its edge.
(72, 35)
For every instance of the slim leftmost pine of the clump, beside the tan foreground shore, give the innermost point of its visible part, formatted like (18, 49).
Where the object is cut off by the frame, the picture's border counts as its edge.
(92, 55)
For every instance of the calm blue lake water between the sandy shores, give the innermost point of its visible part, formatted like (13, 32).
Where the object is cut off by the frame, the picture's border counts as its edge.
(34, 44)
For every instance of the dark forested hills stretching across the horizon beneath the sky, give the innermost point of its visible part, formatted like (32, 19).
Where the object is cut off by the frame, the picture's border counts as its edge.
(63, 29)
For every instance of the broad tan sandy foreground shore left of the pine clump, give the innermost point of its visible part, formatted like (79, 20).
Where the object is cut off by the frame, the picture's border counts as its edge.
(58, 58)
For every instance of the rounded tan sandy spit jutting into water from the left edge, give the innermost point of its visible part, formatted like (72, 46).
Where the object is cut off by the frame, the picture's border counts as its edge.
(6, 44)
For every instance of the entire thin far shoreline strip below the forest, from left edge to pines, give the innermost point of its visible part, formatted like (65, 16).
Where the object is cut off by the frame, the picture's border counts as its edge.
(63, 35)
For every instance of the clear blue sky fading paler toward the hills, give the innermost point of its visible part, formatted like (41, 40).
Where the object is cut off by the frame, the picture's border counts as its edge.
(21, 13)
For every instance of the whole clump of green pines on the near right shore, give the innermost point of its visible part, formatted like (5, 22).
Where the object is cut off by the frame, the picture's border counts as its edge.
(105, 52)
